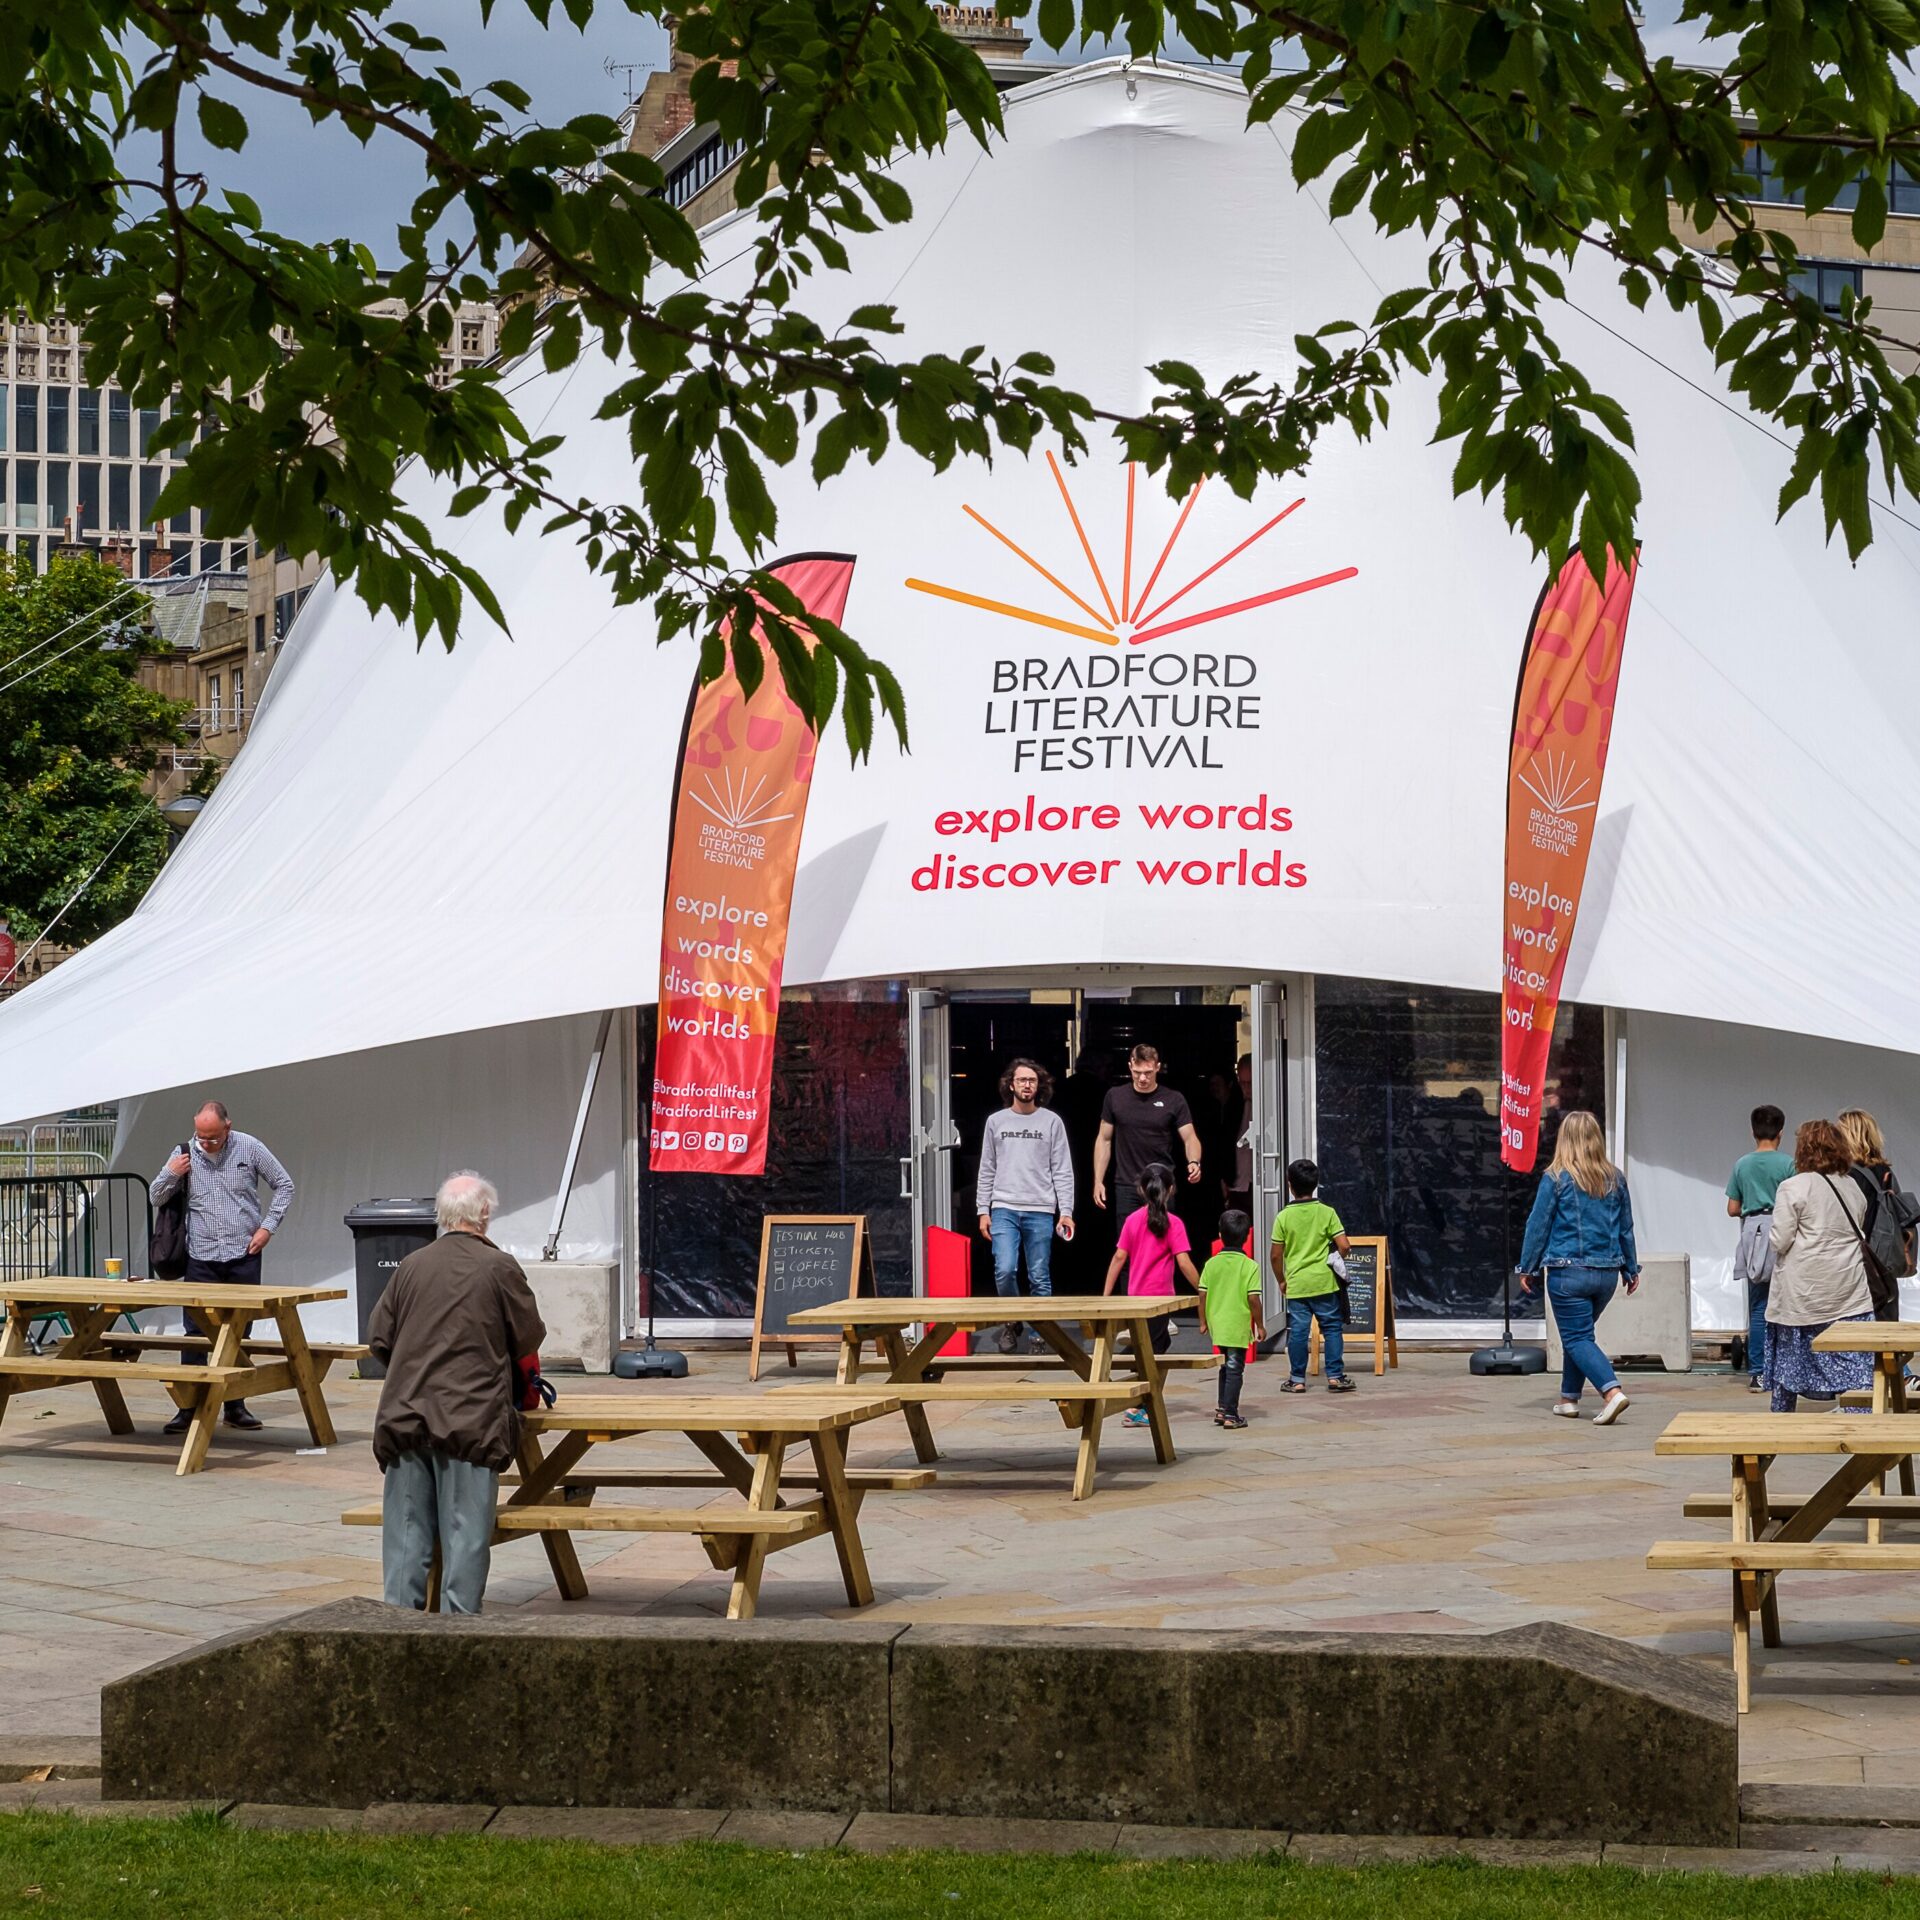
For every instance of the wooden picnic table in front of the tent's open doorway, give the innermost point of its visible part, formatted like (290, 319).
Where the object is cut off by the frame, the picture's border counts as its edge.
(919, 1376)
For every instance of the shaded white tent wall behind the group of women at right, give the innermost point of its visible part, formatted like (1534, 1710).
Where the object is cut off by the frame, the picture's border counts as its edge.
(1691, 1088)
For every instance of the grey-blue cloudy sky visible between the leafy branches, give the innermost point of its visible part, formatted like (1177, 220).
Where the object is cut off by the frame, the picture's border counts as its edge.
(318, 183)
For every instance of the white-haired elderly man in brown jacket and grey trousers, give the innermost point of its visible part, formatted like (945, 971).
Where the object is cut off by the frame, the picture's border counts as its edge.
(448, 1330)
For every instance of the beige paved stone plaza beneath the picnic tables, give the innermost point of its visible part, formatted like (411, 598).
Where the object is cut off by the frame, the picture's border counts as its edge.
(1429, 1500)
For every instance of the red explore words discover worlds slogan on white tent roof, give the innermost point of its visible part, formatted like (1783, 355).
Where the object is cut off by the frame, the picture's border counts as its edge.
(1042, 857)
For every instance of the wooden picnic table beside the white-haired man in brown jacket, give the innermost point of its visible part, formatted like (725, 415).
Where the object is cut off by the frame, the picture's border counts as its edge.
(744, 1441)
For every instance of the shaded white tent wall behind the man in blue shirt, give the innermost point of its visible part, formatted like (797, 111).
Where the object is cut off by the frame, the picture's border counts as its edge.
(400, 1120)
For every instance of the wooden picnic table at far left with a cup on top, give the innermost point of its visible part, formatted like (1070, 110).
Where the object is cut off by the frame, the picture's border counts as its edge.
(235, 1366)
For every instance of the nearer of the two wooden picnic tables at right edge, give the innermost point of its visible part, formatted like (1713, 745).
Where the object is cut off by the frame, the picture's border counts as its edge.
(1783, 1535)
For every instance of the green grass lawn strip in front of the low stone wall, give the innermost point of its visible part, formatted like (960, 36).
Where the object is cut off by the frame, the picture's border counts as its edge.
(55, 1865)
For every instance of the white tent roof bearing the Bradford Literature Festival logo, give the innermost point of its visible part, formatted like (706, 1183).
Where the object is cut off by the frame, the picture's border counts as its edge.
(423, 844)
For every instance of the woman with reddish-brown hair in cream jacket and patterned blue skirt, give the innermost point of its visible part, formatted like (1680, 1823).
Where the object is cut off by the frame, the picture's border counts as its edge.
(1819, 1272)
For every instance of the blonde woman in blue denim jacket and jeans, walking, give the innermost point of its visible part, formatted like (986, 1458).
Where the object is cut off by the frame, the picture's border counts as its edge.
(1581, 1241)
